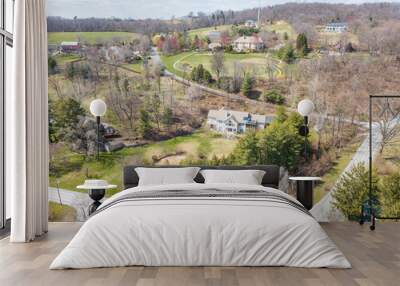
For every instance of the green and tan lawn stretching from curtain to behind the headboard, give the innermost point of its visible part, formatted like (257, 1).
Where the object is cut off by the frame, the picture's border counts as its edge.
(72, 168)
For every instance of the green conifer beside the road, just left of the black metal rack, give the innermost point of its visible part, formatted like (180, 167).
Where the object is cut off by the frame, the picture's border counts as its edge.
(352, 191)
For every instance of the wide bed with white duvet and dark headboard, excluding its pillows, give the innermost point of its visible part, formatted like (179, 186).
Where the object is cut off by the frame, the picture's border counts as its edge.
(197, 224)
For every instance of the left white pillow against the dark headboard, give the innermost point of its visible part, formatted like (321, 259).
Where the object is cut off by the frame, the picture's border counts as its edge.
(166, 176)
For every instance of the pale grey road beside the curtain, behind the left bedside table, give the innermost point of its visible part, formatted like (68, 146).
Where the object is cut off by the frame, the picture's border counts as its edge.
(79, 201)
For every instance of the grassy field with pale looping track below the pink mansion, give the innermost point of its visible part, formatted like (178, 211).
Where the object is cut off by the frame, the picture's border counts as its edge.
(252, 62)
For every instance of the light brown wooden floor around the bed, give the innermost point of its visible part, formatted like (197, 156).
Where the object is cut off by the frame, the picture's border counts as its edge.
(375, 257)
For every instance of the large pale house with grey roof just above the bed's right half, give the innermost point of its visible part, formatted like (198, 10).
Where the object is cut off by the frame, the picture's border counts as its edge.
(236, 122)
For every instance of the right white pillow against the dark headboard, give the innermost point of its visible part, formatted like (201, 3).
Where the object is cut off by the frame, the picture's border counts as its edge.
(245, 177)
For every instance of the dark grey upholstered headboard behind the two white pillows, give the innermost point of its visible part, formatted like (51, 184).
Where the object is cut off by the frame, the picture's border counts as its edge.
(271, 178)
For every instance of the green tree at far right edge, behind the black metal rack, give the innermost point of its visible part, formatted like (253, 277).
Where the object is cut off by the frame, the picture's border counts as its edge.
(390, 196)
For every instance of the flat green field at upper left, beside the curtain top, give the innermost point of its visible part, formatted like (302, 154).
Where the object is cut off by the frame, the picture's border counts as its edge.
(90, 37)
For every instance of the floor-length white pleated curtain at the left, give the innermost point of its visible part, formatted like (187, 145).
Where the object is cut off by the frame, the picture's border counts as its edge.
(27, 123)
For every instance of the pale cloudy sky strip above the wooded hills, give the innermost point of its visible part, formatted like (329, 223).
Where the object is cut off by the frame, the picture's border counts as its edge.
(163, 9)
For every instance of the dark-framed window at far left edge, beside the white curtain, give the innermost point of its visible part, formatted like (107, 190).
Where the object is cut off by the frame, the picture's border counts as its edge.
(6, 43)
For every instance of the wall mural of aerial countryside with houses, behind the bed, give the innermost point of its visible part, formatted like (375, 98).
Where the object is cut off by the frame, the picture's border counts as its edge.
(218, 87)
